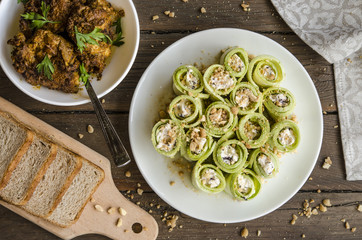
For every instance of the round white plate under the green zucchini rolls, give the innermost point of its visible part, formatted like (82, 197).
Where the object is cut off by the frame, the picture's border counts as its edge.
(148, 99)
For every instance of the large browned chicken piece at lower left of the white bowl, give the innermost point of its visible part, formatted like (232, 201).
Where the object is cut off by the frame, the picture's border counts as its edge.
(28, 53)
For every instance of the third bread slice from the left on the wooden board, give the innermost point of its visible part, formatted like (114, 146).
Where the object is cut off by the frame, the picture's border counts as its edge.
(54, 183)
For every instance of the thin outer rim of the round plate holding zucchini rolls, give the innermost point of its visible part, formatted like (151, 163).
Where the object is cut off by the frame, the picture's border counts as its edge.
(187, 211)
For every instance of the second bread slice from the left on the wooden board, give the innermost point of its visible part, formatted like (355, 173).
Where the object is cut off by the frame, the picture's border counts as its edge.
(29, 171)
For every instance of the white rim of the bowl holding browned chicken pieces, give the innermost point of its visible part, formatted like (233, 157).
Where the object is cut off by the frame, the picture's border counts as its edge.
(133, 17)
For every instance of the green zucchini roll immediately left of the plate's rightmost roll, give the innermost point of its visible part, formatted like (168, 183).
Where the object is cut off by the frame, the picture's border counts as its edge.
(254, 130)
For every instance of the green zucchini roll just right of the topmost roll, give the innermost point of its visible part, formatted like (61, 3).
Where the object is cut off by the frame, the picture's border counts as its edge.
(265, 71)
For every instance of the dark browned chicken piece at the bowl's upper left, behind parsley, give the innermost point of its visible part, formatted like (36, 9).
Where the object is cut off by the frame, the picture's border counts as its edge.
(59, 11)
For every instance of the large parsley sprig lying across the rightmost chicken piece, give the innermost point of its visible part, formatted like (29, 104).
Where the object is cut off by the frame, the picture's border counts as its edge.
(91, 38)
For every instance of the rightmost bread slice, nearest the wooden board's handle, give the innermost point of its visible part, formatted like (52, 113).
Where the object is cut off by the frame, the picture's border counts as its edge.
(77, 196)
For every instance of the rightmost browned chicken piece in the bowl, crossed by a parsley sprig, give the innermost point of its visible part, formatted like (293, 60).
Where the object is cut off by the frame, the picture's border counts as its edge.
(86, 17)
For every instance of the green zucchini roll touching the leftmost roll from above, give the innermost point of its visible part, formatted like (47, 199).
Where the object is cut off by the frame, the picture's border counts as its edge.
(186, 110)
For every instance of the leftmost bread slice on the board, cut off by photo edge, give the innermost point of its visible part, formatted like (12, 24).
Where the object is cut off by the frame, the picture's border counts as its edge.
(14, 142)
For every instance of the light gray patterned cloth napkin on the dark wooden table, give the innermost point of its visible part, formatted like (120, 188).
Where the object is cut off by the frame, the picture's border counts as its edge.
(333, 28)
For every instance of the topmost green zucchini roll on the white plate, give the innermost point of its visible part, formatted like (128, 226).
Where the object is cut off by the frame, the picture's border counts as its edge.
(236, 61)
